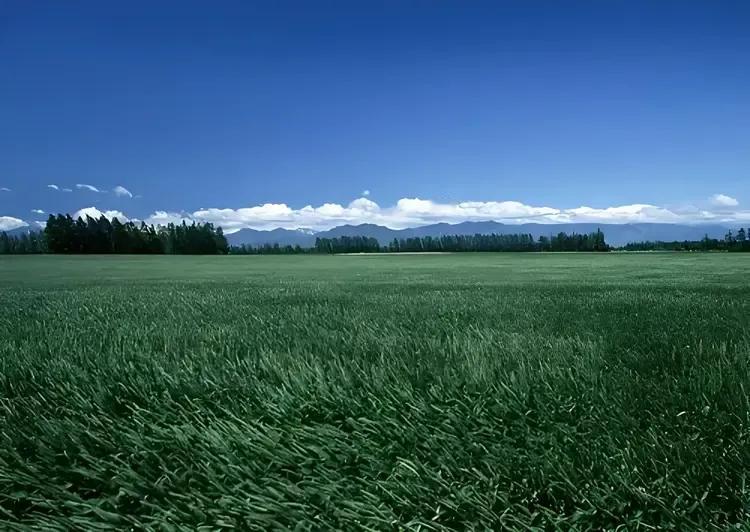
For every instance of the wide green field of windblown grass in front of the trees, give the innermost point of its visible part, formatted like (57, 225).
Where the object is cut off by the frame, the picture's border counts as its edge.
(382, 392)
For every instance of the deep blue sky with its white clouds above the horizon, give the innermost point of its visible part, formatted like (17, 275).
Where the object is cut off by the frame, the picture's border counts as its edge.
(244, 113)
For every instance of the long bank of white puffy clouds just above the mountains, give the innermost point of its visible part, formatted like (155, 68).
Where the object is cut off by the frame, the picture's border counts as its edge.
(412, 212)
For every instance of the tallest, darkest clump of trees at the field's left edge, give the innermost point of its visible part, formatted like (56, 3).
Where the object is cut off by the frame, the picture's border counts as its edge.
(63, 234)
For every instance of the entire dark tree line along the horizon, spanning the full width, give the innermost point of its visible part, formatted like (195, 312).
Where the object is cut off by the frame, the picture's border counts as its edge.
(63, 234)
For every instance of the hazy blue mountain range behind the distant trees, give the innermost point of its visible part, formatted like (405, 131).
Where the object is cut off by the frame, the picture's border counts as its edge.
(615, 234)
